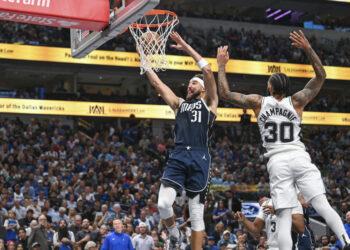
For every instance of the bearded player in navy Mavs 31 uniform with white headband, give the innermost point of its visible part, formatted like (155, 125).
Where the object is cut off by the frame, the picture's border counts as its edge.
(188, 167)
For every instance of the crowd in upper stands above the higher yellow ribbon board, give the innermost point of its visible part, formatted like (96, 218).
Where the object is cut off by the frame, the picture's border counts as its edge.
(244, 44)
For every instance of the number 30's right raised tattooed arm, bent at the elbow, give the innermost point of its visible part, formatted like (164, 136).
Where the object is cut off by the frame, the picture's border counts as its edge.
(303, 97)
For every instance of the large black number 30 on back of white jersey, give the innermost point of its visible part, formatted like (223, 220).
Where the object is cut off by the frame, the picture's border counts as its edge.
(274, 128)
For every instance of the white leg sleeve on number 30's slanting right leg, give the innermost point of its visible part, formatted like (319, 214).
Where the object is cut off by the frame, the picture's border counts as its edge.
(322, 207)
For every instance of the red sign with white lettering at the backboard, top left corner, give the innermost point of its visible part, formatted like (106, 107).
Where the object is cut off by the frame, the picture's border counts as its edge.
(77, 14)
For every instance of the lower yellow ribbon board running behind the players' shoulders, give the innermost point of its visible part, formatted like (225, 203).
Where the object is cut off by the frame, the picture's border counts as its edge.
(124, 110)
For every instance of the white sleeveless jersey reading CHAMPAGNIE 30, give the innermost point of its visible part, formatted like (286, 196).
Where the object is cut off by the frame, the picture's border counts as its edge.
(279, 125)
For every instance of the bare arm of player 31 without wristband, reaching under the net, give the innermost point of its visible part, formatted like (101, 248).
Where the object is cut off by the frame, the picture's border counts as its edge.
(165, 92)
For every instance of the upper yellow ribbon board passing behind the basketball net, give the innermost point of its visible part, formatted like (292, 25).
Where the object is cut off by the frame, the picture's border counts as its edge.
(128, 59)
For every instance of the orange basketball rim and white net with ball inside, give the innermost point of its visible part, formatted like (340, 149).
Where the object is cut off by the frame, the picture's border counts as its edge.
(151, 33)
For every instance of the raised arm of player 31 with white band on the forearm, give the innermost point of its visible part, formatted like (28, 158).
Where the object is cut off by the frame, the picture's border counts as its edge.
(211, 96)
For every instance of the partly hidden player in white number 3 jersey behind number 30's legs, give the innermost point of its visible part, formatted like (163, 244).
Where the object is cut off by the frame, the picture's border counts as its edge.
(269, 222)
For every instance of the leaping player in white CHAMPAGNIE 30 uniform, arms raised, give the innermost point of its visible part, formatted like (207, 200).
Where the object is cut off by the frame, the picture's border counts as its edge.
(279, 118)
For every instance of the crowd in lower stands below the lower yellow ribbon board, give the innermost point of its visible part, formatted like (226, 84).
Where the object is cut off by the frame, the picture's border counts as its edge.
(75, 184)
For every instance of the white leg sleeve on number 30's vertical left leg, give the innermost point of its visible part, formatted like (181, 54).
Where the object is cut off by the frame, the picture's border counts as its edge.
(284, 224)
